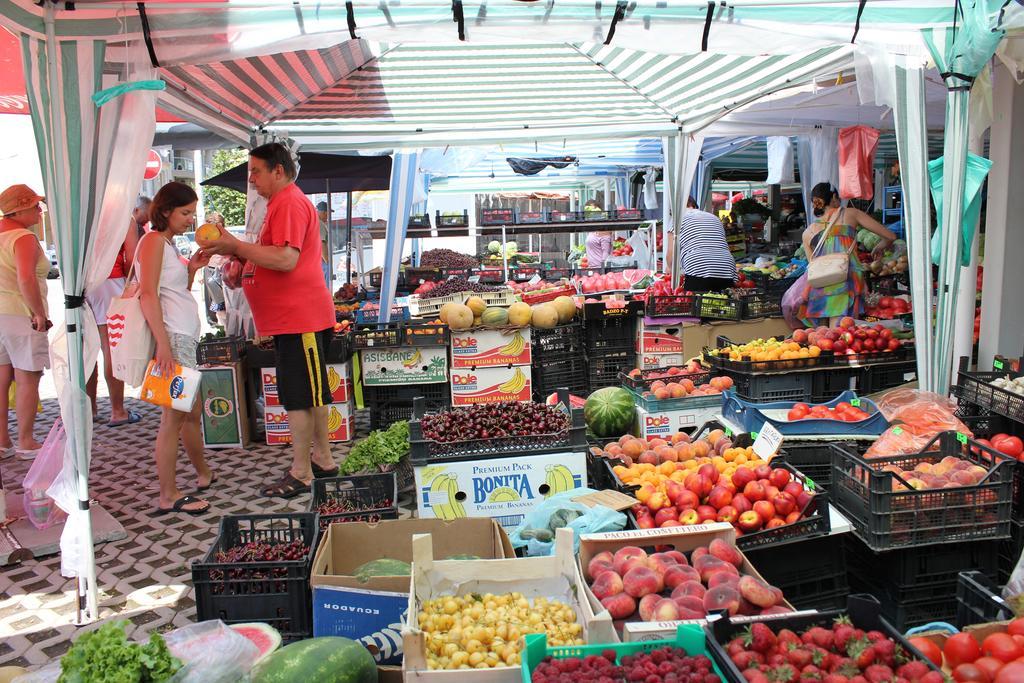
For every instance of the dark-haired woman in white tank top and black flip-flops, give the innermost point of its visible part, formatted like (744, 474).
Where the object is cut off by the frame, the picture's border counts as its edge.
(174, 317)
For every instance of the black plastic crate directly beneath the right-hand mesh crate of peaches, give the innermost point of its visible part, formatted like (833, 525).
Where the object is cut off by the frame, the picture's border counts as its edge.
(913, 575)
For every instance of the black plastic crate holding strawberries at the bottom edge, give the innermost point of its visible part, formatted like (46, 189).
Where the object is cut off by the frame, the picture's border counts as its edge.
(864, 611)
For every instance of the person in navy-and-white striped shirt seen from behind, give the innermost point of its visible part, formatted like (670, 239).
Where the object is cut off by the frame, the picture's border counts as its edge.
(704, 255)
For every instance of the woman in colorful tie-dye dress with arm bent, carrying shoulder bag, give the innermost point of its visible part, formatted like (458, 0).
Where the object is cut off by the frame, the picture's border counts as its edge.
(835, 232)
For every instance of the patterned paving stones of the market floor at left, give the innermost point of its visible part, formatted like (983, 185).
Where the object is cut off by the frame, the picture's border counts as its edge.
(145, 578)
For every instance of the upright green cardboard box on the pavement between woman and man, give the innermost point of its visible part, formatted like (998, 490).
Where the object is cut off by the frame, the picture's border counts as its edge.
(226, 413)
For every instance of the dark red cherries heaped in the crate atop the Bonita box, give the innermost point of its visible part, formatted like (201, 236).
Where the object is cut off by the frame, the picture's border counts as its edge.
(494, 421)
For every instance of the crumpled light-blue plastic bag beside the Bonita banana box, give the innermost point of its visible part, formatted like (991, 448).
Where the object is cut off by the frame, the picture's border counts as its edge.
(537, 532)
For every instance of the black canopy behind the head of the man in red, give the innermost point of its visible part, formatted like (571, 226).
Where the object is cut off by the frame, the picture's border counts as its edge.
(346, 174)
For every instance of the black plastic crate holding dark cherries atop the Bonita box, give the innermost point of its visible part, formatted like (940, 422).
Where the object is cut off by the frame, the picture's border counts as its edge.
(425, 451)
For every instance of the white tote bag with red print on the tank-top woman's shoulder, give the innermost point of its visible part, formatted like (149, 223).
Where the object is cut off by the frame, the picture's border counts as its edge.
(132, 340)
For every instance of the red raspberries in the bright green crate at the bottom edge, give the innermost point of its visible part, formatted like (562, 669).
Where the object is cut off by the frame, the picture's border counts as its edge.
(666, 665)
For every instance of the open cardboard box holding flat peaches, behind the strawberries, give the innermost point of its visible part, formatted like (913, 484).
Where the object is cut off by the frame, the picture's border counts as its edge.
(684, 539)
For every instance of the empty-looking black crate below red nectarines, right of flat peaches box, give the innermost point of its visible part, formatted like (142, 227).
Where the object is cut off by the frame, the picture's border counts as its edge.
(812, 579)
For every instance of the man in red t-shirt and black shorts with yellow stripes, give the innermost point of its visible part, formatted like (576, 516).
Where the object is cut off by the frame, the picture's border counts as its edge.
(290, 302)
